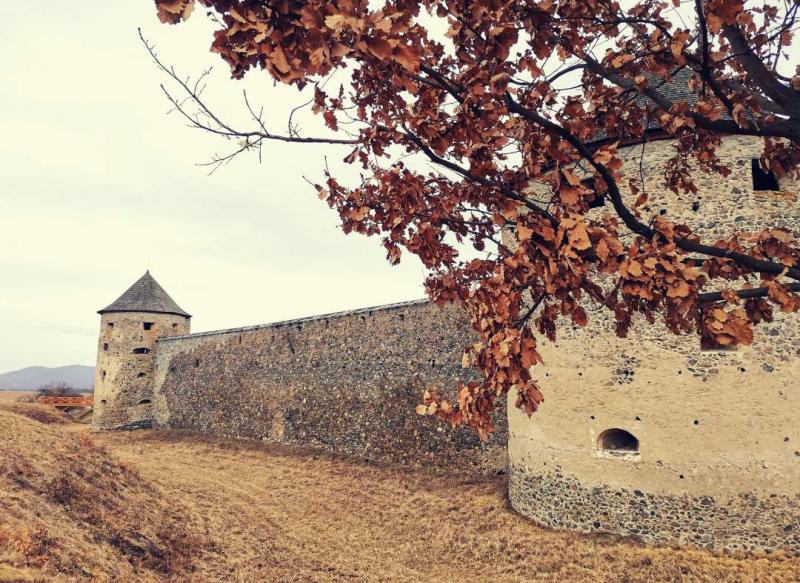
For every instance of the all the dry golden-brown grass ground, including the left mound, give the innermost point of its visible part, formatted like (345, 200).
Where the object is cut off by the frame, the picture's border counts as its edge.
(151, 506)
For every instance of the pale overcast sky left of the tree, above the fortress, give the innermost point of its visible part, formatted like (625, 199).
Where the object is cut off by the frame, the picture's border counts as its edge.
(99, 184)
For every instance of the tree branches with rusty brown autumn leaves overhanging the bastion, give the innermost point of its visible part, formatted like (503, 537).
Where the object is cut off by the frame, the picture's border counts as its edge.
(496, 95)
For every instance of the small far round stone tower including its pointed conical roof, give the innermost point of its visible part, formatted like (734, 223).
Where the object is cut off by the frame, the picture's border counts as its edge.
(129, 328)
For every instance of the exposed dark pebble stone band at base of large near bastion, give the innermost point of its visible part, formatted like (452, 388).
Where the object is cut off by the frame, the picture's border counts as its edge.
(746, 522)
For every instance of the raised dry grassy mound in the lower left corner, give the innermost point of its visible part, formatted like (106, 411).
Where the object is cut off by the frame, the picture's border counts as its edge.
(71, 511)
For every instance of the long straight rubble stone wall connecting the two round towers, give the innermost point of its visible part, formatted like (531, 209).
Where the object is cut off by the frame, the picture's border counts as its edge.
(347, 382)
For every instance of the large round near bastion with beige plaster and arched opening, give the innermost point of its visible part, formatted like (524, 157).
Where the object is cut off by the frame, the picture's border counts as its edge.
(653, 436)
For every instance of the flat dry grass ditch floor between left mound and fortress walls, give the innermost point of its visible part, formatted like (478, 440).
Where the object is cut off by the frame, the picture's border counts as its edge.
(276, 514)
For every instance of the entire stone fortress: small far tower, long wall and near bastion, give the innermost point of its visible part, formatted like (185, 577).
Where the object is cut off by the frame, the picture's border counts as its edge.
(647, 436)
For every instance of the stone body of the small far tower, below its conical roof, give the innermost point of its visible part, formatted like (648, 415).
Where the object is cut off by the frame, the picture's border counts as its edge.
(124, 372)
